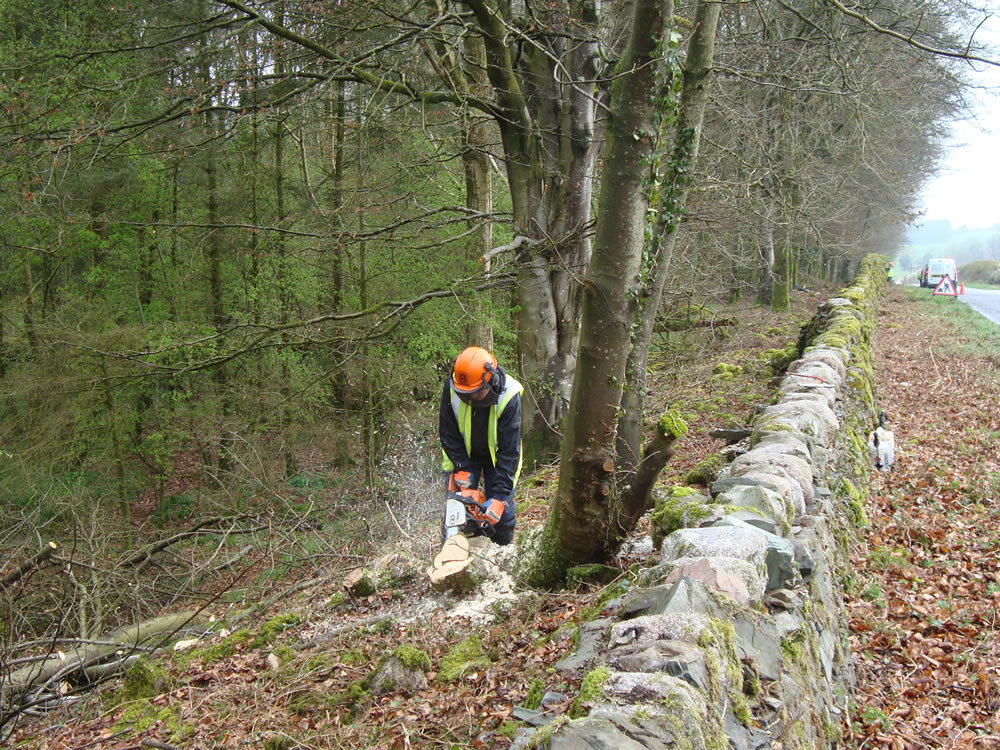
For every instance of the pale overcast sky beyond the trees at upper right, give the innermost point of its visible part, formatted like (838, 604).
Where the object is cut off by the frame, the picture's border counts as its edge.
(967, 192)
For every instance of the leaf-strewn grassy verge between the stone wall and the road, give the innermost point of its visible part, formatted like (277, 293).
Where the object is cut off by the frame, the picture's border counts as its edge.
(923, 606)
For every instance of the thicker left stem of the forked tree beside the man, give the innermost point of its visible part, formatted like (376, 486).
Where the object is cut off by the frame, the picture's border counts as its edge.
(582, 523)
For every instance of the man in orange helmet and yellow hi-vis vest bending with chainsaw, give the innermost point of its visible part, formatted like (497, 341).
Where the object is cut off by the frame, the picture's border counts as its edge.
(480, 429)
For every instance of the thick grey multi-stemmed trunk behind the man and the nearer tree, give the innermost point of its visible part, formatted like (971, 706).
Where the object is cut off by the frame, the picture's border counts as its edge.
(546, 128)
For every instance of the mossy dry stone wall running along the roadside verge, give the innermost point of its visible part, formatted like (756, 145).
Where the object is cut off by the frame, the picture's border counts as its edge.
(737, 637)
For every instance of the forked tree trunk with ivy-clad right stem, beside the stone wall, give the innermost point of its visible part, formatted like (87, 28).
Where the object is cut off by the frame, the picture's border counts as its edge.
(589, 518)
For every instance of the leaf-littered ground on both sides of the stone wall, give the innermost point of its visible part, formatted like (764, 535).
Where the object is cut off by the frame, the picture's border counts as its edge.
(922, 608)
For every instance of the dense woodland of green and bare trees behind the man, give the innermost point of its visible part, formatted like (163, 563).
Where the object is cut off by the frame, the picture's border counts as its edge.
(240, 244)
